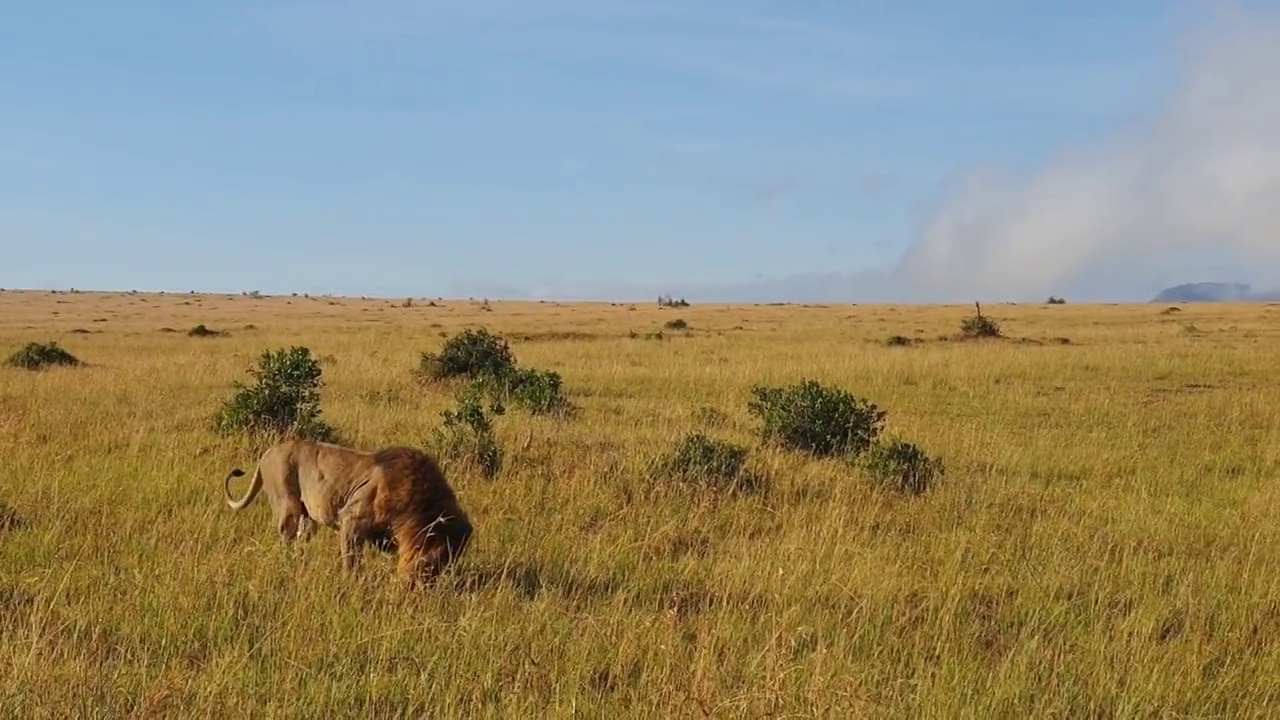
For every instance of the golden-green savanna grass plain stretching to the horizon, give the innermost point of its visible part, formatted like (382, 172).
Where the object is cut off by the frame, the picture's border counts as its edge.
(1104, 544)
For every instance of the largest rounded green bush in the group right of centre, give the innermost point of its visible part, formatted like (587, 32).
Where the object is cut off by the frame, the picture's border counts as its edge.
(821, 421)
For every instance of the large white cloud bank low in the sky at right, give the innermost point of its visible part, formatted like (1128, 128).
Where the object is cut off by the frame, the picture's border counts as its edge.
(1203, 175)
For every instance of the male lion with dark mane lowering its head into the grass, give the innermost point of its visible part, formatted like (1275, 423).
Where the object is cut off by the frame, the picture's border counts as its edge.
(396, 494)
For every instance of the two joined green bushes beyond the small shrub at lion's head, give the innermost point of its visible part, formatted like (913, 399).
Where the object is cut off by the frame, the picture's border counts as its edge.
(486, 358)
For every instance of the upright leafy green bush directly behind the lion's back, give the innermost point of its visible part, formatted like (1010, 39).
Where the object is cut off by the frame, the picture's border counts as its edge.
(284, 400)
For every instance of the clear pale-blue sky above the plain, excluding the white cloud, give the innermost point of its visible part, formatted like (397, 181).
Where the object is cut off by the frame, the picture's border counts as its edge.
(747, 151)
